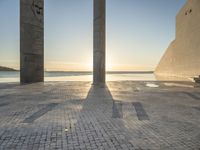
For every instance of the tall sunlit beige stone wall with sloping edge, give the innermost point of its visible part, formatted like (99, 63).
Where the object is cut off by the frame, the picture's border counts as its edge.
(182, 58)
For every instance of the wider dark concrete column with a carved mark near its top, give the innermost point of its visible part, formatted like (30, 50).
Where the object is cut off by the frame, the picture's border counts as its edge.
(31, 41)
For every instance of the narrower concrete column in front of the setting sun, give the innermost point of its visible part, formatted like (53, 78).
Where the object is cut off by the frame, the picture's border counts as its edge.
(99, 38)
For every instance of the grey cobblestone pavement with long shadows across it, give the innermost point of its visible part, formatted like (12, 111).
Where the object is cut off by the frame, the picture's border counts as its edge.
(77, 116)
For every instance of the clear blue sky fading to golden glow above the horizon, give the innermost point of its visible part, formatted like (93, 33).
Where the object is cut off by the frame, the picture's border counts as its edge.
(137, 33)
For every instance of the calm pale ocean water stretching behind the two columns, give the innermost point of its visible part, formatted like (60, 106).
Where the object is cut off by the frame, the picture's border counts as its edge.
(13, 76)
